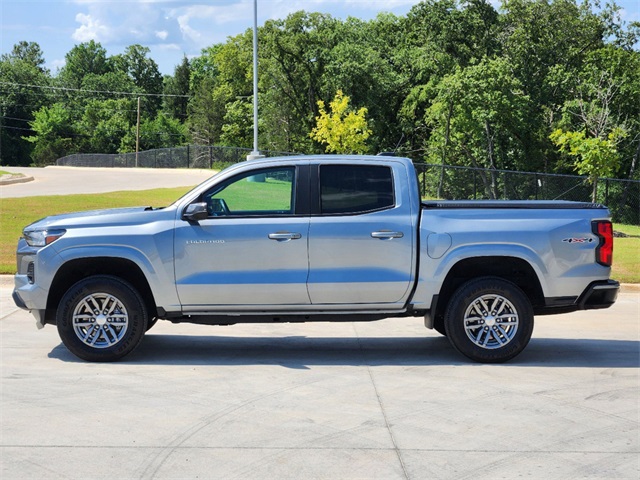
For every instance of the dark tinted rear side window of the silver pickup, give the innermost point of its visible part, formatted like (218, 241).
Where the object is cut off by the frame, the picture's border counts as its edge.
(355, 188)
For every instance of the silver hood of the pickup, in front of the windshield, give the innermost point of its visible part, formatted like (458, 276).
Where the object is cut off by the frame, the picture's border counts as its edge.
(102, 218)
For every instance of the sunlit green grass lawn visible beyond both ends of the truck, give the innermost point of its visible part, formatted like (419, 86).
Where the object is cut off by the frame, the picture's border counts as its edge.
(16, 213)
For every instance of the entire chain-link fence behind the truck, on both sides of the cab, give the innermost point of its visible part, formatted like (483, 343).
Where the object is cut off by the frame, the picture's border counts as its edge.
(436, 181)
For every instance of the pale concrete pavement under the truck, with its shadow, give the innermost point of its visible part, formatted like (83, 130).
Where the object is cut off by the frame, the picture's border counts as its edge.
(381, 400)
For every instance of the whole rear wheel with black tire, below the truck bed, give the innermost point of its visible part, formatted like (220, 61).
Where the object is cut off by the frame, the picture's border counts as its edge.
(489, 320)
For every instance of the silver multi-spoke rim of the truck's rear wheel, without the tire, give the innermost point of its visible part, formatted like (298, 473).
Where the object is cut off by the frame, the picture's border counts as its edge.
(491, 321)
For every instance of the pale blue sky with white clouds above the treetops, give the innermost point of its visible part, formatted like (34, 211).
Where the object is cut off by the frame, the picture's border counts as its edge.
(169, 28)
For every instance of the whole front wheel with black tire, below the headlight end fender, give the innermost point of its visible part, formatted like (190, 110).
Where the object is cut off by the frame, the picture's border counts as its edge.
(101, 318)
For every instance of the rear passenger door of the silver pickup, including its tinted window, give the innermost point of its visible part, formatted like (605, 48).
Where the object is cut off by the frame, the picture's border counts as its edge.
(361, 241)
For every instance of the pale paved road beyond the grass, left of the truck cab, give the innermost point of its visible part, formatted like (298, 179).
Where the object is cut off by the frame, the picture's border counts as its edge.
(69, 180)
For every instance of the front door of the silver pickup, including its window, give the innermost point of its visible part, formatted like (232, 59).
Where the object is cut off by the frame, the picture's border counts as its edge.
(251, 250)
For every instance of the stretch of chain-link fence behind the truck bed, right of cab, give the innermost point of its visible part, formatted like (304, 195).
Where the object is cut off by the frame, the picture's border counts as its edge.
(458, 183)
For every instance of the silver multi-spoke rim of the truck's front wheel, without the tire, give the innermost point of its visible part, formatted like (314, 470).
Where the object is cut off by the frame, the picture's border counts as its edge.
(100, 320)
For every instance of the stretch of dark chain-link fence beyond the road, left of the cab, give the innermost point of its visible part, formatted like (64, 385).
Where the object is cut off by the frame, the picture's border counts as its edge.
(191, 156)
